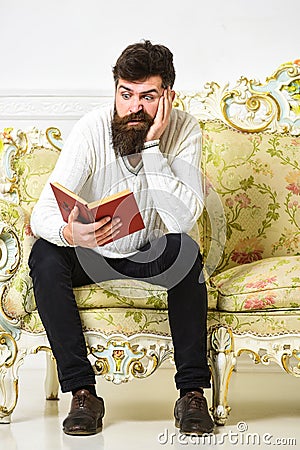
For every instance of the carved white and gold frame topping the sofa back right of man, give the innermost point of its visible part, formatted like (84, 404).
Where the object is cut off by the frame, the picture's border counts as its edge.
(251, 106)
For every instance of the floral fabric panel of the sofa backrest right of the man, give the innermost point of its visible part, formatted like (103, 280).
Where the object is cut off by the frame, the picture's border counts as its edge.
(256, 179)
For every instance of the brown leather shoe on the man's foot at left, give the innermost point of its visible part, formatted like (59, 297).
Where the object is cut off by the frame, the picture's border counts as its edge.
(86, 413)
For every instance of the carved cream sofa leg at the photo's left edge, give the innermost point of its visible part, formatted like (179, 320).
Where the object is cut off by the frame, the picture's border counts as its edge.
(10, 360)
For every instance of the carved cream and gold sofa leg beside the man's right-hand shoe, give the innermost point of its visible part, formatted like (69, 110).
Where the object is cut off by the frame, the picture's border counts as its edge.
(222, 361)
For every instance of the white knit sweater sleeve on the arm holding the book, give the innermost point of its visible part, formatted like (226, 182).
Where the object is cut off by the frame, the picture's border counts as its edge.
(72, 169)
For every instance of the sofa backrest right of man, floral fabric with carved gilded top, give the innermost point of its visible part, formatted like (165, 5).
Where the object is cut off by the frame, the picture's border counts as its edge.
(250, 166)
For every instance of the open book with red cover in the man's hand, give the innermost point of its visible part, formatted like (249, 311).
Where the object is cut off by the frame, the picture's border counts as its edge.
(122, 205)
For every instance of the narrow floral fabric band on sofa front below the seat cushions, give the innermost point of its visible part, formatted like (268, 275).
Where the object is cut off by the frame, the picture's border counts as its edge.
(131, 321)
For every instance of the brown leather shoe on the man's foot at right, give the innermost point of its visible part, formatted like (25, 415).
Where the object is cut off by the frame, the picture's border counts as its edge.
(191, 414)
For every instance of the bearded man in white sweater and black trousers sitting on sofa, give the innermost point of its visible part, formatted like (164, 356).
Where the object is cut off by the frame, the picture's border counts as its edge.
(139, 143)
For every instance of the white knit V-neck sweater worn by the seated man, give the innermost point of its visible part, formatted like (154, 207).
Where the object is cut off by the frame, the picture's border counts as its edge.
(166, 182)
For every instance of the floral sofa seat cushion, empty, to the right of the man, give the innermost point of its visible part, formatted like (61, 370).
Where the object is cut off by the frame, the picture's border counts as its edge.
(271, 283)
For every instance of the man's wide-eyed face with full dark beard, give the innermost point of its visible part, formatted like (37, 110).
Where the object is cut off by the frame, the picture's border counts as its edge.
(136, 104)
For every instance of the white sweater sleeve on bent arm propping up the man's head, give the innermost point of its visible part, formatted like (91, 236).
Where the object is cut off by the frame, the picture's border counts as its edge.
(174, 181)
